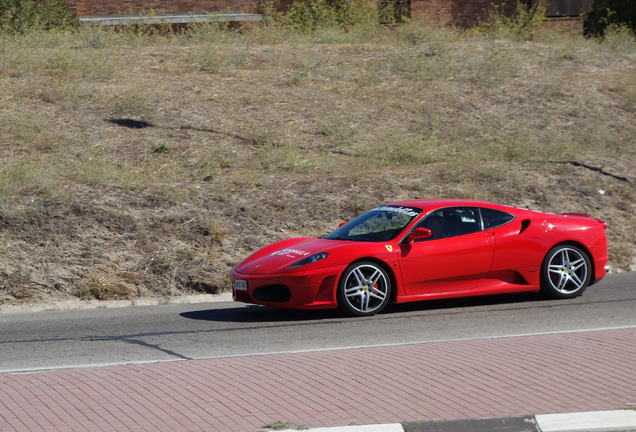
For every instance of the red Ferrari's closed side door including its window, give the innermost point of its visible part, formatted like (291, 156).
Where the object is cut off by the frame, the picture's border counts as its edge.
(455, 257)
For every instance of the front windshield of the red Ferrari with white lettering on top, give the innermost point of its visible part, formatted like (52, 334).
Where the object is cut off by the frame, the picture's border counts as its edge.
(380, 224)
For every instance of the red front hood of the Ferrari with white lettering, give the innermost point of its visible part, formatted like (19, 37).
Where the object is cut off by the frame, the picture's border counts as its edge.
(276, 258)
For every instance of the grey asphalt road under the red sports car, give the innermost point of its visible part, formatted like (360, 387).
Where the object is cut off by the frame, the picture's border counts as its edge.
(44, 340)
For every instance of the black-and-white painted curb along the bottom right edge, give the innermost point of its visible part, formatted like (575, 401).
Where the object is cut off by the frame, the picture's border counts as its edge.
(595, 421)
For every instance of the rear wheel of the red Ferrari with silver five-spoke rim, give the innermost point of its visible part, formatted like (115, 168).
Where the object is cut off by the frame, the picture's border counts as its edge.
(566, 272)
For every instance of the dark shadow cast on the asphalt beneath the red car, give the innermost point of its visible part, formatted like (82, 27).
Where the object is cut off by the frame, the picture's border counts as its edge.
(262, 314)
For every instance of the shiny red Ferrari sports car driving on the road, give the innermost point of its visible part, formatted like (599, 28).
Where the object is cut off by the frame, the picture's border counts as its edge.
(427, 249)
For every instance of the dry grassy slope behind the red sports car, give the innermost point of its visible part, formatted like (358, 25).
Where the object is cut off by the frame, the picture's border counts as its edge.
(135, 164)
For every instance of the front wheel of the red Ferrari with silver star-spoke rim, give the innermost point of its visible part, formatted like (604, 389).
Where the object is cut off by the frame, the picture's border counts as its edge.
(364, 289)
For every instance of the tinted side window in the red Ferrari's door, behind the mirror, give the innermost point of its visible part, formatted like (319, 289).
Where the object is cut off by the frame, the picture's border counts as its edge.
(451, 222)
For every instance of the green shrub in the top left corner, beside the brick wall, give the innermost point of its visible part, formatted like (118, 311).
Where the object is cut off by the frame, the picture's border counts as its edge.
(18, 16)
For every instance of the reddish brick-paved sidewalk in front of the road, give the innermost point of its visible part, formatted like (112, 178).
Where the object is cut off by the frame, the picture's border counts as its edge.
(543, 374)
